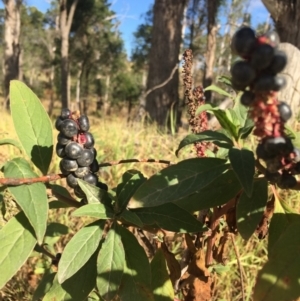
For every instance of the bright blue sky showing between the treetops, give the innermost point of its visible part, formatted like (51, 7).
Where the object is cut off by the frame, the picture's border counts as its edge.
(130, 14)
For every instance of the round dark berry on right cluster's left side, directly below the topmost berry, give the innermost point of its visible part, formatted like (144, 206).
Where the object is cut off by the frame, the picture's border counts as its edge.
(242, 73)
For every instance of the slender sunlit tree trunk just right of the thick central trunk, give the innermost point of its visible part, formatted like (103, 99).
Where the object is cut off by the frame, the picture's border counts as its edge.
(212, 28)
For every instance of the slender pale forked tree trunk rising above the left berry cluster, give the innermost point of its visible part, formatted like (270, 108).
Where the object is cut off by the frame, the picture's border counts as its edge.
(66, 18)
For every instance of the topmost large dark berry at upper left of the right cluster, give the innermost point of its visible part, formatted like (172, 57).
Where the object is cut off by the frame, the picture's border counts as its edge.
(243, 42)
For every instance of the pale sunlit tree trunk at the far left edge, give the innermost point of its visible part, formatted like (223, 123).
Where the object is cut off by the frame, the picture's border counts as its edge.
(12, 46)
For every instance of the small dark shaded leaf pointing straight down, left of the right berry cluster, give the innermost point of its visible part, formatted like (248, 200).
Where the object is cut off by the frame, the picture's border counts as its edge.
(243, 164)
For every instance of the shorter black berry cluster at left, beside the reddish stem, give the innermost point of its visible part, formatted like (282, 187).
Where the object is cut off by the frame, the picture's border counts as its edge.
(75, 145)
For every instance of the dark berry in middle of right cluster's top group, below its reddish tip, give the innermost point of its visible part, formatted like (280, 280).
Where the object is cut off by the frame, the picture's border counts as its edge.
(262, 56)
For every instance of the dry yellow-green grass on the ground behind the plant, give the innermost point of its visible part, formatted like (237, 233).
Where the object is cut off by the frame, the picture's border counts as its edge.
(116, 141)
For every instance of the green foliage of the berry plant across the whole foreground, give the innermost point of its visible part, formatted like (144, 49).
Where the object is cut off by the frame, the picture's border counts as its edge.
(104, 260)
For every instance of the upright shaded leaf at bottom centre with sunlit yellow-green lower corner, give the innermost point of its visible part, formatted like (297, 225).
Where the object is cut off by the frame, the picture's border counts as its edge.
(161, 284)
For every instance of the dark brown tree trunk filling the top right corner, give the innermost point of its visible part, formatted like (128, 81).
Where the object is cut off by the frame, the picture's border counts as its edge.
(286, 15)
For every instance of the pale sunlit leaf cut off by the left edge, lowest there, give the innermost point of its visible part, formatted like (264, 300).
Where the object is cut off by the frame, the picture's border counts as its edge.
(17, 242)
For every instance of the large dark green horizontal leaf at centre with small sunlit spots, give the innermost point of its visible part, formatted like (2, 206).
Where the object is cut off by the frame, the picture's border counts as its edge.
(177, 181)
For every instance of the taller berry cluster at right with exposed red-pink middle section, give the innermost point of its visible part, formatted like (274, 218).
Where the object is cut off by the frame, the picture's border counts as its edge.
(256, 75)
